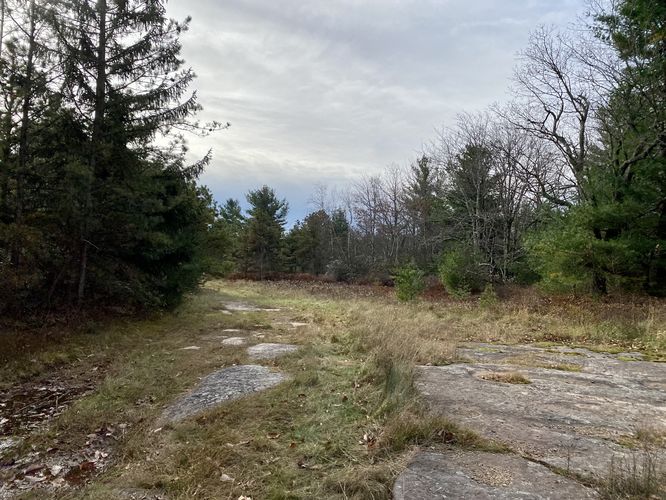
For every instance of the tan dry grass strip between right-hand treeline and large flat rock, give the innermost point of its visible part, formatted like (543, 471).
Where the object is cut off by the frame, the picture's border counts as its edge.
(613, 324)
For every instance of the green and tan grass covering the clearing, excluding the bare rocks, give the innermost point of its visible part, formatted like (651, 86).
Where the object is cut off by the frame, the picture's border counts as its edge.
(345, 423)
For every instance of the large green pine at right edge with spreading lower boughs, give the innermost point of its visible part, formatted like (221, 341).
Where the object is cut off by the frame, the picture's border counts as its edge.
(620, 148)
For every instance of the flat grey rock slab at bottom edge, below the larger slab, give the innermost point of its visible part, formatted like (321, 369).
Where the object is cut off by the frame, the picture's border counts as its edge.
(478, 476)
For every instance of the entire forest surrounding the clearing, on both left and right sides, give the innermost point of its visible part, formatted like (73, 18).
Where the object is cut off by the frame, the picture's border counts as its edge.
(563, 186)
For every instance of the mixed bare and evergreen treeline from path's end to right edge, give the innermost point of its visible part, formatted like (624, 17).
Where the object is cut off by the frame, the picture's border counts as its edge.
(565, 185)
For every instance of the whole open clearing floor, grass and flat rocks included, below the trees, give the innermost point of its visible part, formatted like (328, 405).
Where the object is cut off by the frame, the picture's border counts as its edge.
(281, 390)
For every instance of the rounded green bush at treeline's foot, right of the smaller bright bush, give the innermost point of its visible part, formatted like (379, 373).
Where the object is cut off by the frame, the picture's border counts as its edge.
(460, 272)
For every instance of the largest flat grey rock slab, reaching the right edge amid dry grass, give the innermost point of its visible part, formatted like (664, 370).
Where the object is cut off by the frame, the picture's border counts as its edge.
(574, 420)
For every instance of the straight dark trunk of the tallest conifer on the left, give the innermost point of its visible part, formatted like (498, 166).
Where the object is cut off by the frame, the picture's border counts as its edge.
(98, 121)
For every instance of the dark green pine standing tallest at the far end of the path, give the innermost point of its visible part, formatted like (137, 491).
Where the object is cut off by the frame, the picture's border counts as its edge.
(265, 227)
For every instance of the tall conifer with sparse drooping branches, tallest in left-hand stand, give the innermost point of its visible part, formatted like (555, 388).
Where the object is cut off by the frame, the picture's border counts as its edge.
(122, 69)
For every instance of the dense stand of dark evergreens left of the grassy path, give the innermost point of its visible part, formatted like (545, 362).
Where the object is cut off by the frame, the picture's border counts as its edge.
(97, 203)
